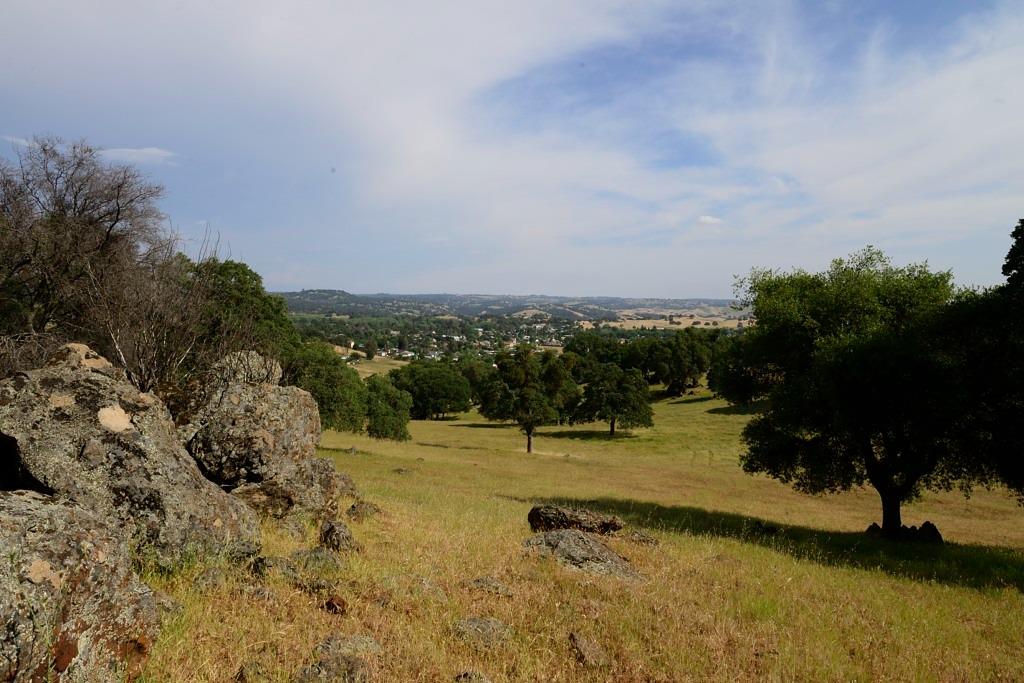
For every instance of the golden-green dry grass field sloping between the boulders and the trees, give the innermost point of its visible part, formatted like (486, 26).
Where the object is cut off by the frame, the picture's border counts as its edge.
(751, 581)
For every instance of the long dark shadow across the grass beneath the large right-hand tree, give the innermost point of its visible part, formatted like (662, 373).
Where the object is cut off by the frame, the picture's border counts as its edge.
(957, 565)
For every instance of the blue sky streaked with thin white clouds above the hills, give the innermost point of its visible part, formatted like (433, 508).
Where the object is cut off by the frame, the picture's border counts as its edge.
(560, 147)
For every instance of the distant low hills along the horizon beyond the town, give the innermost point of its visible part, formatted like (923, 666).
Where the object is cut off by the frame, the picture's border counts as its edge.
(583, 309)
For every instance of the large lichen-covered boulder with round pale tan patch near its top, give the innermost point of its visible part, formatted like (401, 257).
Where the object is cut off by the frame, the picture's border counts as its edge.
(77, 429)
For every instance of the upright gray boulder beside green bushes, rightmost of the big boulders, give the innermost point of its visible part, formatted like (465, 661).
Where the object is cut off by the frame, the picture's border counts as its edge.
(260, 441)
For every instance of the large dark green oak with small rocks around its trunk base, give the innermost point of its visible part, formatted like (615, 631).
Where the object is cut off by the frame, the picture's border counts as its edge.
(848, 382)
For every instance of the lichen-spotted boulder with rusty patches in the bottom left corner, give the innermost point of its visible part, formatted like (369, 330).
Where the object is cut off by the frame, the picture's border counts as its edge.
(69, 602)
